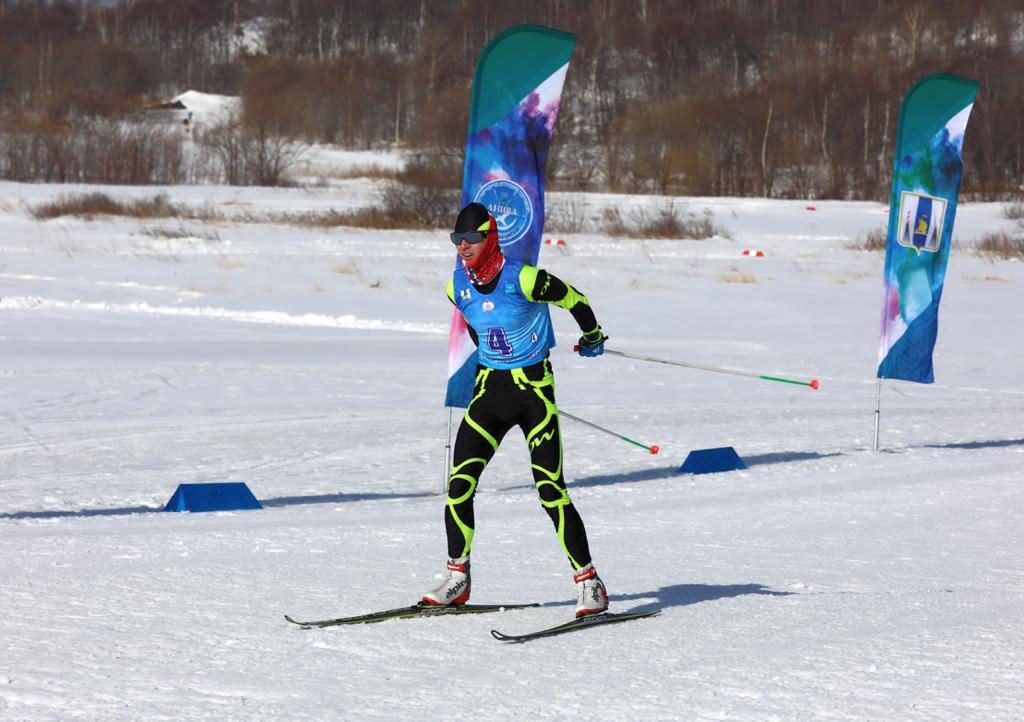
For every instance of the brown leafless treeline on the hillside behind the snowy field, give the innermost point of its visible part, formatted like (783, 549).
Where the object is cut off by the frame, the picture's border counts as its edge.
(760, 98)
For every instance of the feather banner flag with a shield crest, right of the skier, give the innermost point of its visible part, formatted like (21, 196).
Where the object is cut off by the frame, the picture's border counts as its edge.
(927, 174)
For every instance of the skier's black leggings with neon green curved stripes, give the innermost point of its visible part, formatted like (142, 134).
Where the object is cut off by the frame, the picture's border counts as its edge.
(524, 398)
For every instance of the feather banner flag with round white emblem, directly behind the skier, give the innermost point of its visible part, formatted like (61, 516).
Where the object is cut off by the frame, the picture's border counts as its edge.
(518, 89)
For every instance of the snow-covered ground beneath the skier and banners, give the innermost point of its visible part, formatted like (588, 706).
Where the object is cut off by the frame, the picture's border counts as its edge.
(825, 582)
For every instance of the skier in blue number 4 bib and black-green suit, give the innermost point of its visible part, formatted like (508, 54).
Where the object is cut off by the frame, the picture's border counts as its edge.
(503, 304)
